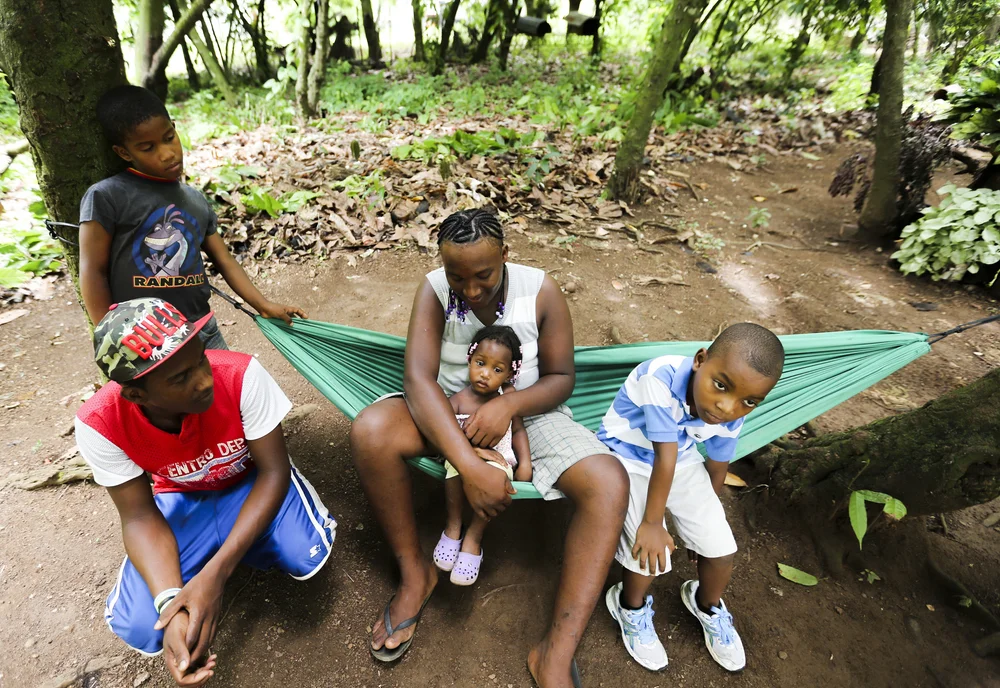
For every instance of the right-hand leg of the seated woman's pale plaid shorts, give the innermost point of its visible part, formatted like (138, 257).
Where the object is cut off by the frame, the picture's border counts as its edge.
(557, 442)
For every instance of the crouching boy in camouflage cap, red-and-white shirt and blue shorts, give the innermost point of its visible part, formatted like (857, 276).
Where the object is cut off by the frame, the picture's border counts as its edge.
(206, 427)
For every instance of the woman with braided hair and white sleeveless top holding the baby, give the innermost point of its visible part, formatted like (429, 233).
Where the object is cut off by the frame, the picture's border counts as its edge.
(476, 288)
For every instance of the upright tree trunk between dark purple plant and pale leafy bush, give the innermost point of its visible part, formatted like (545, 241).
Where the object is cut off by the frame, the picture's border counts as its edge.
(879, 214)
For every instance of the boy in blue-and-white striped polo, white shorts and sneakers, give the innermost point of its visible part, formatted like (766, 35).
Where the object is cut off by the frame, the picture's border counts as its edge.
(666, 406)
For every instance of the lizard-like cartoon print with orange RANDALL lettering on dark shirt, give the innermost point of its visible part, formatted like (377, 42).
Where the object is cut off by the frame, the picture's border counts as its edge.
(166, 248)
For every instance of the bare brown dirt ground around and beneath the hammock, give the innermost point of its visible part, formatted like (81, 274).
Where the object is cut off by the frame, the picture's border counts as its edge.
(60, 548)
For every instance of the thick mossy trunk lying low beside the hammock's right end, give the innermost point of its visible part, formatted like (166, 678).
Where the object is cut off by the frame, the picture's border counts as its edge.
(938, 458)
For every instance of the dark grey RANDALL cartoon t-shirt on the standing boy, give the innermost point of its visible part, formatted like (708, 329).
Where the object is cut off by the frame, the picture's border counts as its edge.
(157, 229)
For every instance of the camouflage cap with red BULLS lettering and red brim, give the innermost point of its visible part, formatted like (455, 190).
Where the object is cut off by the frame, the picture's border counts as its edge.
(138, 335)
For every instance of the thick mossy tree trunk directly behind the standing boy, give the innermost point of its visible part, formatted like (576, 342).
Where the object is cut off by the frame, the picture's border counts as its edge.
(57, 97)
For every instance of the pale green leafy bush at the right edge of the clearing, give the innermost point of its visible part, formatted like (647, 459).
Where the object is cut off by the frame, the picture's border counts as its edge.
(960, 236)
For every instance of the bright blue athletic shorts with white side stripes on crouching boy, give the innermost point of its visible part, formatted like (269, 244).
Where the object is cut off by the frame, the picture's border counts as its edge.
(298, 542)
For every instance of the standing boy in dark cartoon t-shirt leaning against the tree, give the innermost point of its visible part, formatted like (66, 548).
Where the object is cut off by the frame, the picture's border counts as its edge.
(142, 231)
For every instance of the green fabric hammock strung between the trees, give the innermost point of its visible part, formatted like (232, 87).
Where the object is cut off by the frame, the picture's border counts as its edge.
(353, 367)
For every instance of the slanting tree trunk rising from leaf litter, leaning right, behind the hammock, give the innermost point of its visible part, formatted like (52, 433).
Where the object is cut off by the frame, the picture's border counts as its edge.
(664, 63)
